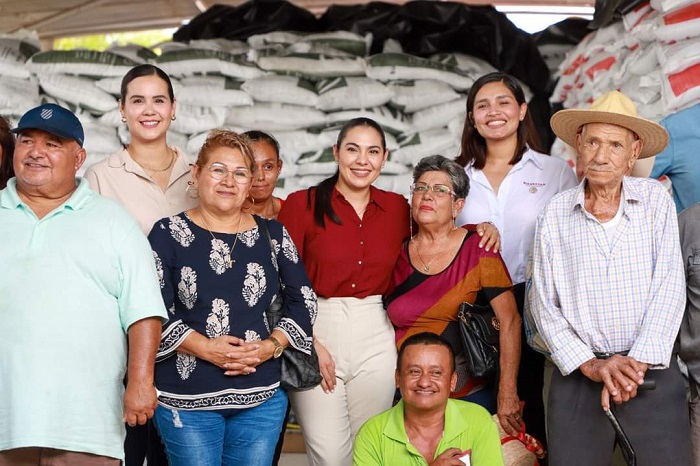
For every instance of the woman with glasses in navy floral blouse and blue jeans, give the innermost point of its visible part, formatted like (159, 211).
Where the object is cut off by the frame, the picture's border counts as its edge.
(218, 367)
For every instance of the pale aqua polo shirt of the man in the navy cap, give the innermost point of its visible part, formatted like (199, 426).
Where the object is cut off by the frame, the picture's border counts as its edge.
(71, 284)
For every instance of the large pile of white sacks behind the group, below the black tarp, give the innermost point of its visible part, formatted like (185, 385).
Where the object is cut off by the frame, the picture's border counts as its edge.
(299, 87)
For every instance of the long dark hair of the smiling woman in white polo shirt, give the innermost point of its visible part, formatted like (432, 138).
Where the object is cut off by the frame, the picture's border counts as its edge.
(473, 149)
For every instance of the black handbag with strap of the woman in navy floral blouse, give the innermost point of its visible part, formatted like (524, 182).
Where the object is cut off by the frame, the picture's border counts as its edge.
(300, 371)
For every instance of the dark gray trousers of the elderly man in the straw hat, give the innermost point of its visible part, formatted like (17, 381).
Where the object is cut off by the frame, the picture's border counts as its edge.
(656, 421)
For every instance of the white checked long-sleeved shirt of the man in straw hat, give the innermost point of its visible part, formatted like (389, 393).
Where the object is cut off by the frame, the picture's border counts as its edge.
(590, 294)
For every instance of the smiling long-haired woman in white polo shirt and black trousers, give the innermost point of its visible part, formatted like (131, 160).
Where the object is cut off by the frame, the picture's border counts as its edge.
(511, 181)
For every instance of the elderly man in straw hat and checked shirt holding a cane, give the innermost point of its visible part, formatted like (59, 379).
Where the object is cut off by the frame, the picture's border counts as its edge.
(608, 294)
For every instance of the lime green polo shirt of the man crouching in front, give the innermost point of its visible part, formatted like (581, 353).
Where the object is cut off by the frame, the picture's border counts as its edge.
(383, 441)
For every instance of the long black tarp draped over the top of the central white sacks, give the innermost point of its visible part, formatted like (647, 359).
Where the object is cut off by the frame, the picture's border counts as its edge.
(421, 27)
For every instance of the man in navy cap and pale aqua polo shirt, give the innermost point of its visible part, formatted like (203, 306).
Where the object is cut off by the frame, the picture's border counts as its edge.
(78, 285)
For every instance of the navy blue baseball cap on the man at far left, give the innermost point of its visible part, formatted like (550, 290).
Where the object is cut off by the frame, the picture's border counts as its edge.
(53, 119)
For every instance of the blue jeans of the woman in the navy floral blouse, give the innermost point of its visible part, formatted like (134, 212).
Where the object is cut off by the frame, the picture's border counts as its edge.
(207, 438)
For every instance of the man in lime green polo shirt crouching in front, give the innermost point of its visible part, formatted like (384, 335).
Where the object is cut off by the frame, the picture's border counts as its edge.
(426, 427)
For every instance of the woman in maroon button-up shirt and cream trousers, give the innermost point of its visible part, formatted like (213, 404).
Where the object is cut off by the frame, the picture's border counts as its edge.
(349, 234)
